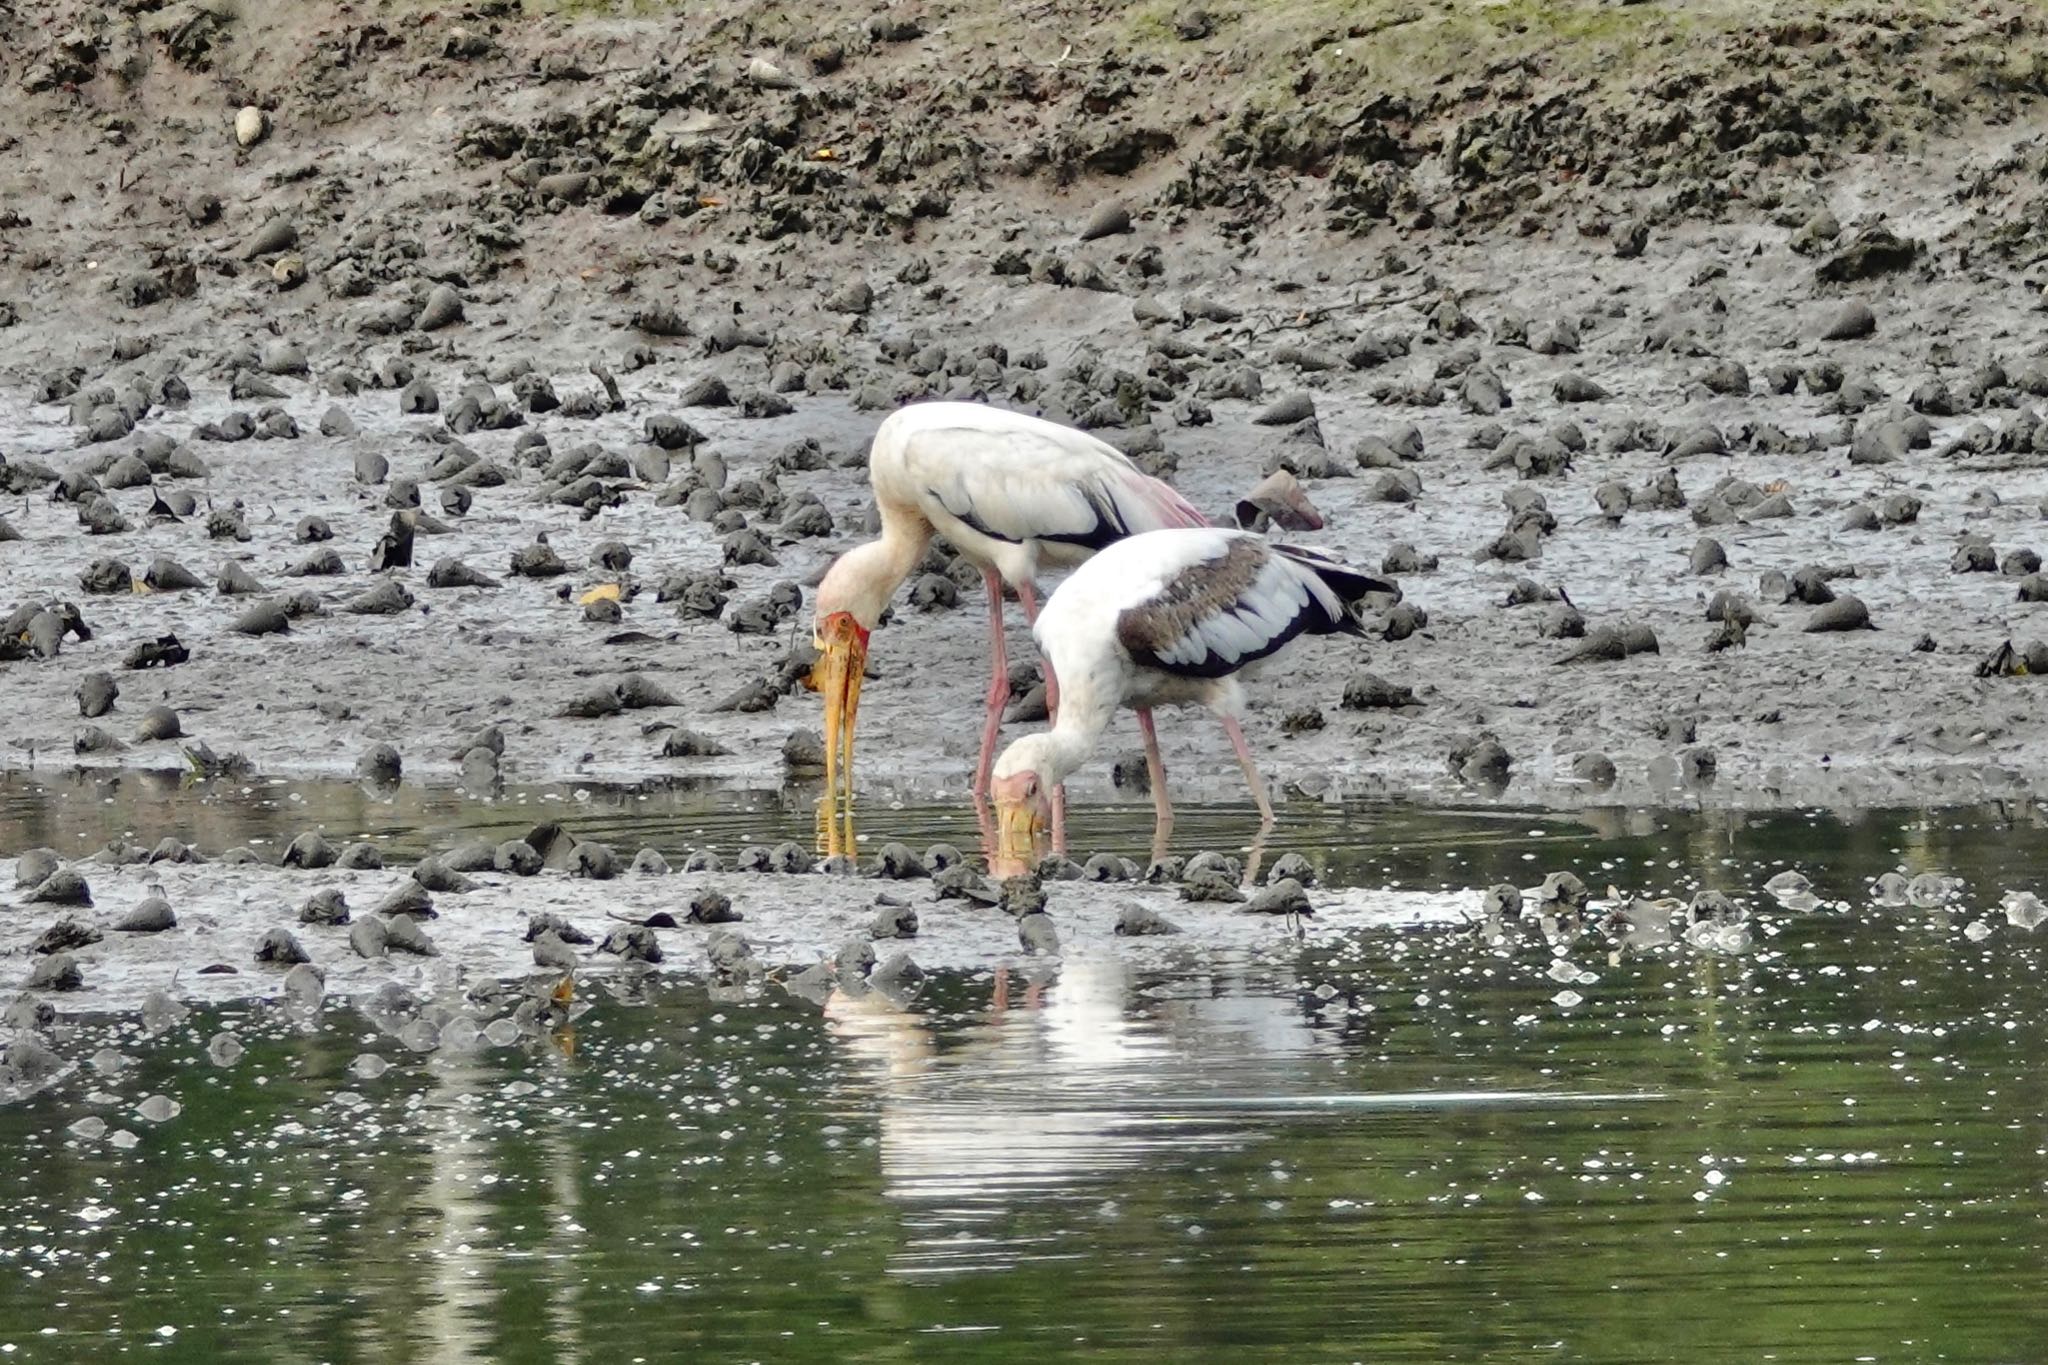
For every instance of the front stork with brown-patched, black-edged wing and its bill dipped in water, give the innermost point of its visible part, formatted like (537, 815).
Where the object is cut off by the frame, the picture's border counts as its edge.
(1166, 619)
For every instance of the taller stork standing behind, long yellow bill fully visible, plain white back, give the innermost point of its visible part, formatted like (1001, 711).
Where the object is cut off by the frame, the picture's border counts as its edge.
(1013, 494)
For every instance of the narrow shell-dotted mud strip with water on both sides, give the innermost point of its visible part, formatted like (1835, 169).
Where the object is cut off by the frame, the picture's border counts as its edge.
(480, 936)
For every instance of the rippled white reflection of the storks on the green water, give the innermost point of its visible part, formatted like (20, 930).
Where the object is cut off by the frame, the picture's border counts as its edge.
(1046, 1102)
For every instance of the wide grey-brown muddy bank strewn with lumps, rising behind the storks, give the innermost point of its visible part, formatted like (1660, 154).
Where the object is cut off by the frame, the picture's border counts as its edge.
(1830, 367)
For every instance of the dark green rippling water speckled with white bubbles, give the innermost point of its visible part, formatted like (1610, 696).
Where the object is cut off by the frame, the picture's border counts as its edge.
(1373, 1147)
